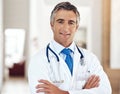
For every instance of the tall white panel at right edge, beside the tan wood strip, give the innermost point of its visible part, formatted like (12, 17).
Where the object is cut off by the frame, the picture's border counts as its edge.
(115, 35)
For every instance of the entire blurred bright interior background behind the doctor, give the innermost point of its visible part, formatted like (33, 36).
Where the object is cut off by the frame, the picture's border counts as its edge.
(25, 28)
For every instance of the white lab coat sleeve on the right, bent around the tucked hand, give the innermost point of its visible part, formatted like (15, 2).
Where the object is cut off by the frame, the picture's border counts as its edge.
(104, 87)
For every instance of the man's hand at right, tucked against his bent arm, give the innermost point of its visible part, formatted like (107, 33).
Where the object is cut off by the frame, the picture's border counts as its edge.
(92, 82)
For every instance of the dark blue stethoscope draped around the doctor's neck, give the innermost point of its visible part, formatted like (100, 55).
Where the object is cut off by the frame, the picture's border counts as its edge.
(49, 49)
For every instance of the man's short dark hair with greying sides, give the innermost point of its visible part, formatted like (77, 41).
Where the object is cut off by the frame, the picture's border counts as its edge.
(66, 6)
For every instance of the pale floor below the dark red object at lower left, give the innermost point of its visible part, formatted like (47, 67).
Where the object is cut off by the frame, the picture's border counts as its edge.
(15, 85)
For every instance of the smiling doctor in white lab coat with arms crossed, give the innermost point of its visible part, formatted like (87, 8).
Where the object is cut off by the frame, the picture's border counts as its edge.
(62, 67)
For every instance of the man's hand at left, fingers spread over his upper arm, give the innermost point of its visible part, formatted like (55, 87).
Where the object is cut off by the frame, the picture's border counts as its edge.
(48, 88)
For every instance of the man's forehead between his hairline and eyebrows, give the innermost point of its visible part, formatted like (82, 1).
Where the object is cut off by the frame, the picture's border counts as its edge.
(65, 14)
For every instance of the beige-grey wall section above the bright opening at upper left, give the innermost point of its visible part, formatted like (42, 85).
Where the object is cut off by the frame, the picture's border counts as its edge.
(16, 14)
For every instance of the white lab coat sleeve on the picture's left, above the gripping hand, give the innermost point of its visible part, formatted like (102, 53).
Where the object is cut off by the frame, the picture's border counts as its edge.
(36, 71)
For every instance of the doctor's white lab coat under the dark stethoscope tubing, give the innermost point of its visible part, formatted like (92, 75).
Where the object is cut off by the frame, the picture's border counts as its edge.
(59, 74)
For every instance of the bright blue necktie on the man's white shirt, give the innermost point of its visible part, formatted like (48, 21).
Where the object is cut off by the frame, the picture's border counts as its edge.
(68, 59)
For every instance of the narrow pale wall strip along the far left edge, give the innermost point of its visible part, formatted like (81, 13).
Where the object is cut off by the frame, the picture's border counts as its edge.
(1, 46)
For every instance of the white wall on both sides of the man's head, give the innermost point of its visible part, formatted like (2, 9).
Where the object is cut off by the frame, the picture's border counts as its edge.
(40, 22)
